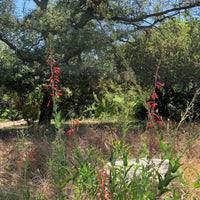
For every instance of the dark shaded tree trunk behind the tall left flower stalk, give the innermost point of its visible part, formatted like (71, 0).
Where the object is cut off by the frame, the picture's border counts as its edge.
(46, 111)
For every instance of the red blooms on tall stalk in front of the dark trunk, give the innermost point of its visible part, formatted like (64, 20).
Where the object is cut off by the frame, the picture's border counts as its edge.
(55, 71)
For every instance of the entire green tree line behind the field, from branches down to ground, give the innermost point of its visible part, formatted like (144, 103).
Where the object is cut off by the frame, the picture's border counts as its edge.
(94, 58)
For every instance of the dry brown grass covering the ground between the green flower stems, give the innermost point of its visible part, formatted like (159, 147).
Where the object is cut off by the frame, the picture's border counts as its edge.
(91, 133)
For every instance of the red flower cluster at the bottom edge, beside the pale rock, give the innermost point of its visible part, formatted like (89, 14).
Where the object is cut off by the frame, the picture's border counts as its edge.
(102, 187)
